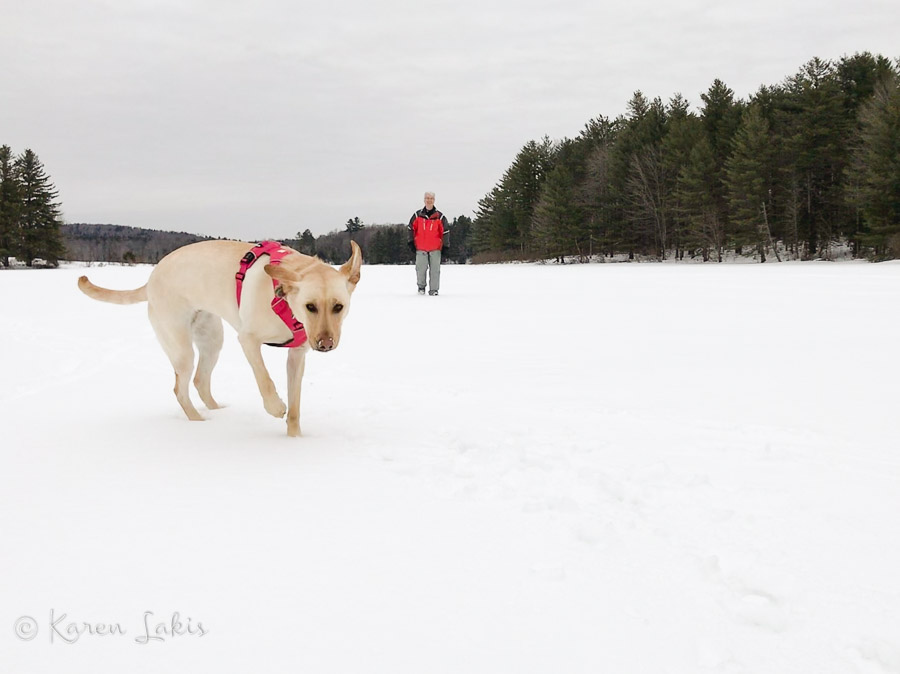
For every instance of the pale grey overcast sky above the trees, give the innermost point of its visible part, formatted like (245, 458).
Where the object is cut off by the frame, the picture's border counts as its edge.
(265, 118)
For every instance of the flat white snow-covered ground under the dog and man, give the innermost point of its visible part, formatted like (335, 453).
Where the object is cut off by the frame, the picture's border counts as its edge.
(599, 468)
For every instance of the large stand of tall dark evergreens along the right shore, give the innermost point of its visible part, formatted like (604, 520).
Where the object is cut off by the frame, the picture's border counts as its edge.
(797, 167)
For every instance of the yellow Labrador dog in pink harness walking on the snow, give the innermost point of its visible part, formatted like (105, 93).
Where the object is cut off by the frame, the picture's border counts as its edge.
(193, 288)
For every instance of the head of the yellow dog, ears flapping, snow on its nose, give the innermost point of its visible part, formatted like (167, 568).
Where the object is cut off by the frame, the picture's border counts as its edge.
(318, 294)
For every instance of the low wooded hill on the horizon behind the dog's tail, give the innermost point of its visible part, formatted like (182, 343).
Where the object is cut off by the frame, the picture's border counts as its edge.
(117, 243)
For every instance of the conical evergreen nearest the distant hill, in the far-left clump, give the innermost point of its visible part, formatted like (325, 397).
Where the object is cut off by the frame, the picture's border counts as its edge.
(39, 218)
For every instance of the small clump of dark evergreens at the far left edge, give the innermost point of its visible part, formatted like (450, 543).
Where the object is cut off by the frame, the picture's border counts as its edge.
(29, 210)
